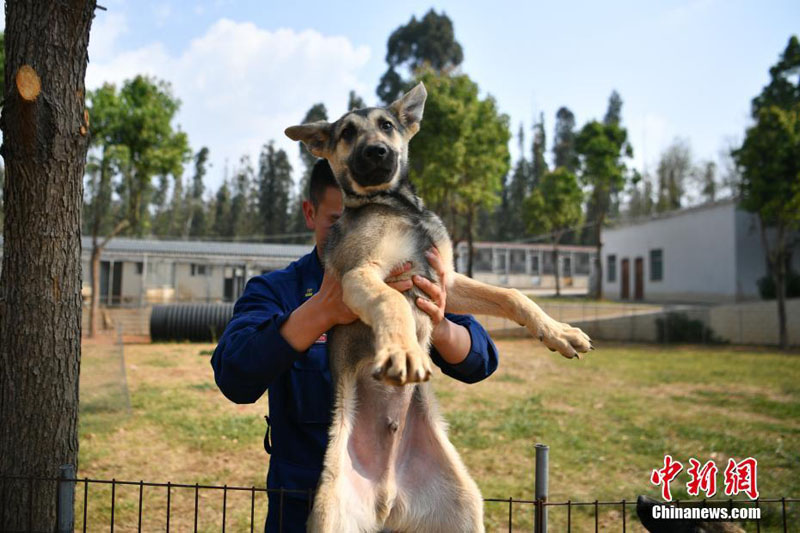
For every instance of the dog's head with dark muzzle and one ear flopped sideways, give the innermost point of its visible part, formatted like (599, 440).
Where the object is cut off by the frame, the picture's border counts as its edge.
(367, 148)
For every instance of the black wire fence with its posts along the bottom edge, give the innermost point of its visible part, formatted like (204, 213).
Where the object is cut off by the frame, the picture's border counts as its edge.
(72, 496)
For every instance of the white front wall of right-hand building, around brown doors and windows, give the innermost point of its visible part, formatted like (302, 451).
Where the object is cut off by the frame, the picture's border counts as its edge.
(699, 255)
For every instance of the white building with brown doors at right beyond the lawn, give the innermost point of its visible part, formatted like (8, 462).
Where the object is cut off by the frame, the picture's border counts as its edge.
(710, 253)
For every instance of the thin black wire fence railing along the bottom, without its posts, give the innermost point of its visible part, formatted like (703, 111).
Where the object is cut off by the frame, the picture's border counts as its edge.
(76, 517)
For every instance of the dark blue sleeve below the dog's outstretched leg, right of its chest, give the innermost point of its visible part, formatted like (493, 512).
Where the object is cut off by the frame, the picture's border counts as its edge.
(481, 361)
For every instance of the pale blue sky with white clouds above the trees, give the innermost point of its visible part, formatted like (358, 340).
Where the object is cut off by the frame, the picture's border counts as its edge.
(244, 70)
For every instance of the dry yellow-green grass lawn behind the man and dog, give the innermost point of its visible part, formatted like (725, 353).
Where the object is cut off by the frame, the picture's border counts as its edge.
(609, 420)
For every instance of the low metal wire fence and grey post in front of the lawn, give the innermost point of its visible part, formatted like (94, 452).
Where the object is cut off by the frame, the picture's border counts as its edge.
(76, 518)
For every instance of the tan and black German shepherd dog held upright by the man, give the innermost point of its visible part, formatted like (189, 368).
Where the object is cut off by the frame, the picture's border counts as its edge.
(389, 464)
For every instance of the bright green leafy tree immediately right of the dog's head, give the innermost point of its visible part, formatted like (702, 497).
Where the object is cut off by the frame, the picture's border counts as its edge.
(468, 174)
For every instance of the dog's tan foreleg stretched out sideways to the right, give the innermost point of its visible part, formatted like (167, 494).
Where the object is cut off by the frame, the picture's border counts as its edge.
(466, 295)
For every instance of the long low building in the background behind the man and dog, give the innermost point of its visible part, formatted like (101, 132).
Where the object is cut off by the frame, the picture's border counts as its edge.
(141, 272)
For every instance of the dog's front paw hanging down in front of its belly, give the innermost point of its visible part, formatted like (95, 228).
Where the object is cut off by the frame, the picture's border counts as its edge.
(398, 362)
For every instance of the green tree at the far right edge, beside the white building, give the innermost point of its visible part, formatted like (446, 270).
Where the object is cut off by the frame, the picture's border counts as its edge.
(769, 159)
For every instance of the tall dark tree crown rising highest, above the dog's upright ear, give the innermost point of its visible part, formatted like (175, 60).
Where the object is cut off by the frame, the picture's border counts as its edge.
(428, 42)
